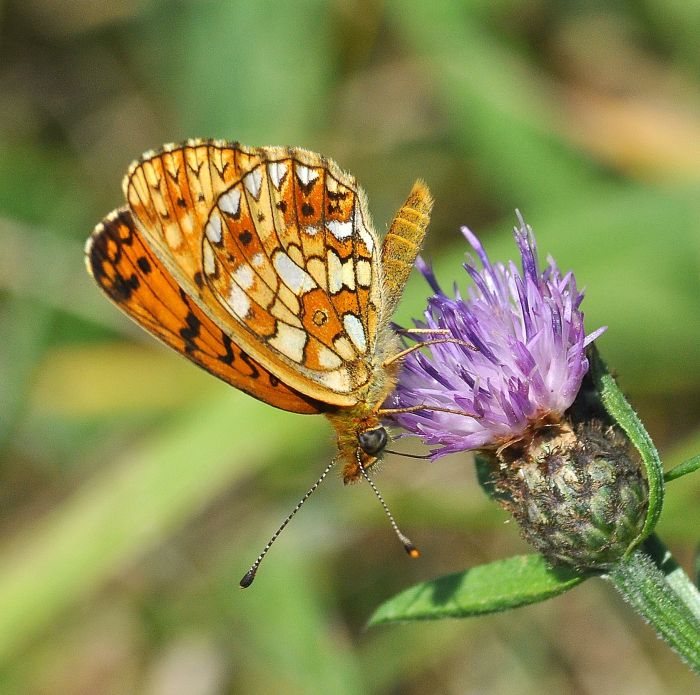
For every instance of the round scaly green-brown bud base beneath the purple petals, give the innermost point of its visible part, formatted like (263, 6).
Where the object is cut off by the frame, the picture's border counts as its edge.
(578, 493)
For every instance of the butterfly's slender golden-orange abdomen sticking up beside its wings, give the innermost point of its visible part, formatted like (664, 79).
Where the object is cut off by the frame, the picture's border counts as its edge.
(403, 241)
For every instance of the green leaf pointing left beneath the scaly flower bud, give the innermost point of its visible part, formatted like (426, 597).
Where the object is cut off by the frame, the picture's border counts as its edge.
(491, 588)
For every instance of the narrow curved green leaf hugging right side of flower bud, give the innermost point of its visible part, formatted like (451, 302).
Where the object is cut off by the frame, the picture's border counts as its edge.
(621, 411)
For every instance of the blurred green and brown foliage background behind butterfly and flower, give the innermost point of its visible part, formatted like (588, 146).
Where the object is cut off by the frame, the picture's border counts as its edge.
(135, 490)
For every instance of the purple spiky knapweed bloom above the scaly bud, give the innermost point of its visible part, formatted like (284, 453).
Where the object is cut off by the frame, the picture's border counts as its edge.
(529, 361)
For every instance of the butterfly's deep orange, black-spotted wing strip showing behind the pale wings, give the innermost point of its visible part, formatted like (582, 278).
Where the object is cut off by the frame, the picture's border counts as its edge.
(132, 276)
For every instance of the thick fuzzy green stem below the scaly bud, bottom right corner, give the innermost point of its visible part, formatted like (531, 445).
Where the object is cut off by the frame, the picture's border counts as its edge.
(651, 583)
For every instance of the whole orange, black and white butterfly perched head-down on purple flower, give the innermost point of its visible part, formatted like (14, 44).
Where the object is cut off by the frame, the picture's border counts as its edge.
(262, 266)
